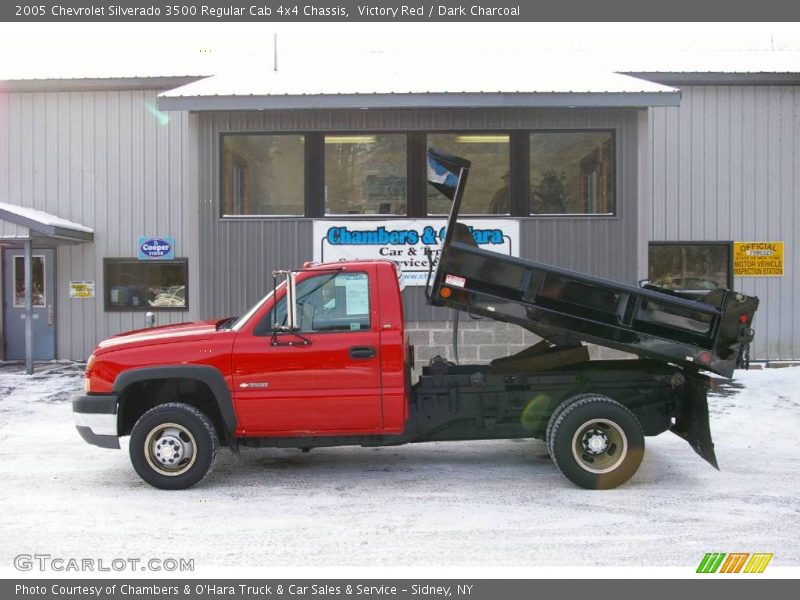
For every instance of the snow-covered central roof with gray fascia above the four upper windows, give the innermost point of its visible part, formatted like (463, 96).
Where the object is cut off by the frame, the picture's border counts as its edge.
(426, 86)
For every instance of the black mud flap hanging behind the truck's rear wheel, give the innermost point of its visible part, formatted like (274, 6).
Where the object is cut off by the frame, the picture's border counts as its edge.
(691, 420)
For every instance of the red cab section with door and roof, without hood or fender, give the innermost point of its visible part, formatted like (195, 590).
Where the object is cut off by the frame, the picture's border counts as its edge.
(341, 370)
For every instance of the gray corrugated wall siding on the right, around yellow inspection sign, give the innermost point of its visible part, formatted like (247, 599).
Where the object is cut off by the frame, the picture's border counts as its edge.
(725, 167)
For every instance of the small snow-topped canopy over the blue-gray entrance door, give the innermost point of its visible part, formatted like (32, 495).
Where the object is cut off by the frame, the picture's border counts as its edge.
(45, 228)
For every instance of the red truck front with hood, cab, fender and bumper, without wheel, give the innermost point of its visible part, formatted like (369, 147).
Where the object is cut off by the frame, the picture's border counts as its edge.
(341, 369)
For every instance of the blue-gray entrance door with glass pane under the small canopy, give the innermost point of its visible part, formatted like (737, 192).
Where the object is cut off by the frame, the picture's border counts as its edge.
(43, 304)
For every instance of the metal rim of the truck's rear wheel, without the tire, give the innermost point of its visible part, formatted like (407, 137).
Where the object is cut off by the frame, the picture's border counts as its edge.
(599, 446)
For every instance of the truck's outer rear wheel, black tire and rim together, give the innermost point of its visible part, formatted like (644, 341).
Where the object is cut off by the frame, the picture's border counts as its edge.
(597, 443)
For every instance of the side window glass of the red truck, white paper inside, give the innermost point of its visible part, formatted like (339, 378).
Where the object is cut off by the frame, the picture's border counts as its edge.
(327, 303)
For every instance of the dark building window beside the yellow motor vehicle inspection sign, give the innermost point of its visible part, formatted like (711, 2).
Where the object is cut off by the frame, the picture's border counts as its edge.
(690, 266)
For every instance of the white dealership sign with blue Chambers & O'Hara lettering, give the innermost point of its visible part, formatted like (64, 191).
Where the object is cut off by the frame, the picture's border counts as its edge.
(404, 241)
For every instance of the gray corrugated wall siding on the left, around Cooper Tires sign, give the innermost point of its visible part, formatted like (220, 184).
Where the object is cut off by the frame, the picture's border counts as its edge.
(104, 160)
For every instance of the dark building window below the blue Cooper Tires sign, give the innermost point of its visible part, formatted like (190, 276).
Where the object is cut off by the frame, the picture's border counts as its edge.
(132, 285)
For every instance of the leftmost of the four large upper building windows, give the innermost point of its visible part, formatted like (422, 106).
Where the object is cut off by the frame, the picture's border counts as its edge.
(263, 175)
